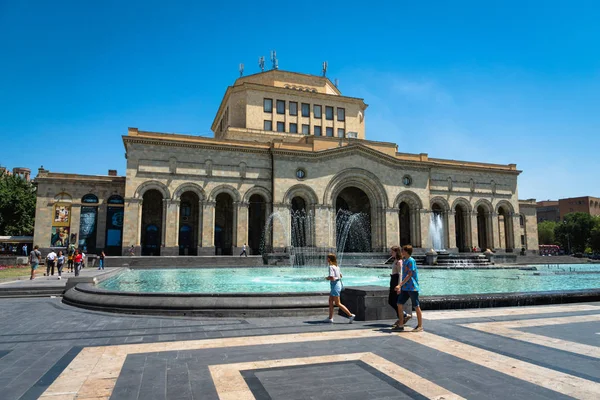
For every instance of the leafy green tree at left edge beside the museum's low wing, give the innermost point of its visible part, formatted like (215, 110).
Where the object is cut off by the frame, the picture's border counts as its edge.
(17, 206)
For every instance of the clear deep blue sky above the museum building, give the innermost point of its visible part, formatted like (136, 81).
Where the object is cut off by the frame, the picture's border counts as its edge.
(509, 82)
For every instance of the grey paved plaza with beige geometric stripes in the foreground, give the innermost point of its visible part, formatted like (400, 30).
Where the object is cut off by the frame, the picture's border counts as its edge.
(52, 351)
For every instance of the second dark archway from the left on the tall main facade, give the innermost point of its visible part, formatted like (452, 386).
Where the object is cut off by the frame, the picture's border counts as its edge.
(189, 220)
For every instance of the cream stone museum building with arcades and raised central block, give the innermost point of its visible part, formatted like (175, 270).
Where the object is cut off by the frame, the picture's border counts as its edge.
(285, 145)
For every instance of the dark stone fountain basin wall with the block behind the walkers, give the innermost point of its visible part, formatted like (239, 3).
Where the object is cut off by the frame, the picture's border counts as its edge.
(367, 302)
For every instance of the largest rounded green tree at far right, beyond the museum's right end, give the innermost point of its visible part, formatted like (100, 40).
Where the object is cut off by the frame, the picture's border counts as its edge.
(575, 231)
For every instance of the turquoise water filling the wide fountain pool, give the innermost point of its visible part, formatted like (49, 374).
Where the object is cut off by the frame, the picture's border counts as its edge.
(311, 279)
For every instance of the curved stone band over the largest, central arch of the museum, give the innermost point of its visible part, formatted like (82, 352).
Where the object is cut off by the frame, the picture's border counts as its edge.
(360, 178)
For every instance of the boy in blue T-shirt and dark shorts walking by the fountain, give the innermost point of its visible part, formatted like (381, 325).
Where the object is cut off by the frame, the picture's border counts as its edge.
(409, 287)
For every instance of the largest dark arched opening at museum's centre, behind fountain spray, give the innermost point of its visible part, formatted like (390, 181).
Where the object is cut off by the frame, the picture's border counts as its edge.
(353, 221)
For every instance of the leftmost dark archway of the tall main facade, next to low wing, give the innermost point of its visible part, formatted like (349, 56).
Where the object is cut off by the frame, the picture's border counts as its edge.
(152, 216)
